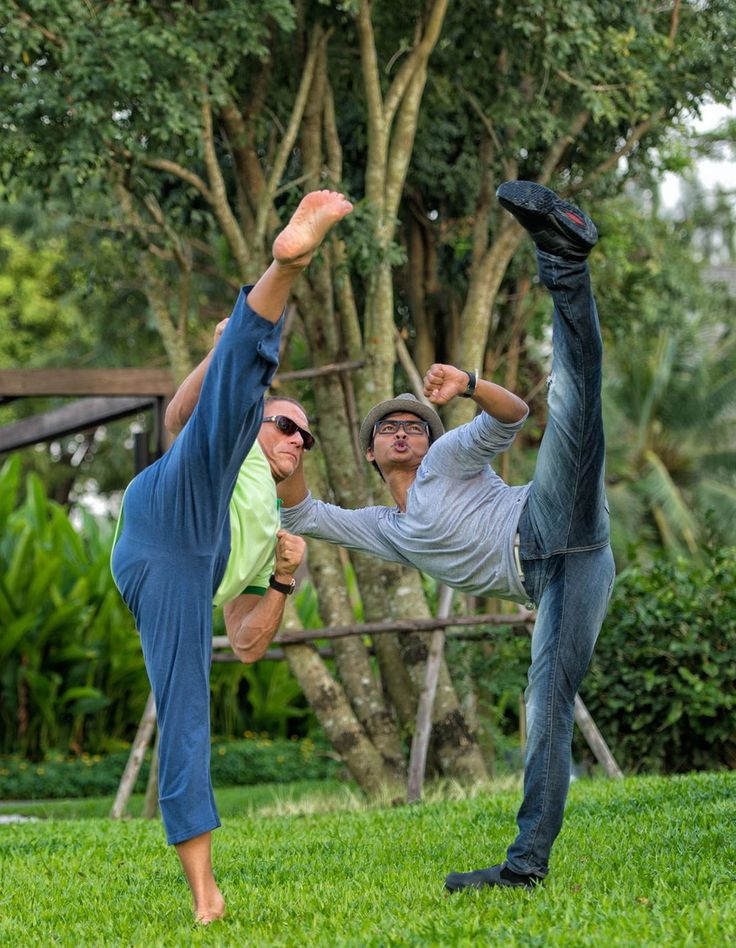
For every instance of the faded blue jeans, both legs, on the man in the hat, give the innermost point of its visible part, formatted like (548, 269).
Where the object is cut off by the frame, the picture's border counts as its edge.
(566, 557)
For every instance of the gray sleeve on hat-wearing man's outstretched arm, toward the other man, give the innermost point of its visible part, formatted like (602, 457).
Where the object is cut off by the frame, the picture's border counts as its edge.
(353, 529)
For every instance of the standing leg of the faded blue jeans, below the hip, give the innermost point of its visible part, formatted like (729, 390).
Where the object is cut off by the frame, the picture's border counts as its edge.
(575, 588)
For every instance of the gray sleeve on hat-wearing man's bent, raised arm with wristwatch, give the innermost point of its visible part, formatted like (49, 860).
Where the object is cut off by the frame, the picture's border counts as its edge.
(466, 450)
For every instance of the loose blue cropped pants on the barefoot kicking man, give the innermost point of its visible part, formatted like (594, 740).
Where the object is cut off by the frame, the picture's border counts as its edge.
(171, 555)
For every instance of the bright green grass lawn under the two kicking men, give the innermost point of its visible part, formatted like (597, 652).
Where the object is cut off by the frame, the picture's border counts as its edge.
(646, 861)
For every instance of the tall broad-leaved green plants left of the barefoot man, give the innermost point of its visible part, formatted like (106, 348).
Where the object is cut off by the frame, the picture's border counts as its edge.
(66, 640)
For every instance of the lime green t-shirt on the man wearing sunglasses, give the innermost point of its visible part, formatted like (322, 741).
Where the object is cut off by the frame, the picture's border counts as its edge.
(254, 521)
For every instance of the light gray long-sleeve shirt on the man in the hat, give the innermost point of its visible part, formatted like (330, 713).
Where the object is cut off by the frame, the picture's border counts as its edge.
(460, 522)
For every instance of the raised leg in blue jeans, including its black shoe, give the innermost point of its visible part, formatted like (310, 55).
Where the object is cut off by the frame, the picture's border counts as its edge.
(566, 506)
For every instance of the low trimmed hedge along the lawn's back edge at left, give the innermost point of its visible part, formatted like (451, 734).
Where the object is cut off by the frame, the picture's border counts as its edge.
(234, 763)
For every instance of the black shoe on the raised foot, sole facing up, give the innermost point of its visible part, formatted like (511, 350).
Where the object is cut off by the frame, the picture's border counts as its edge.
(555, 226)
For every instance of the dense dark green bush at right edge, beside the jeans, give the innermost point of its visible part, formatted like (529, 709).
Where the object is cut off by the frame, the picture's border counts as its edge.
(662, 684)
